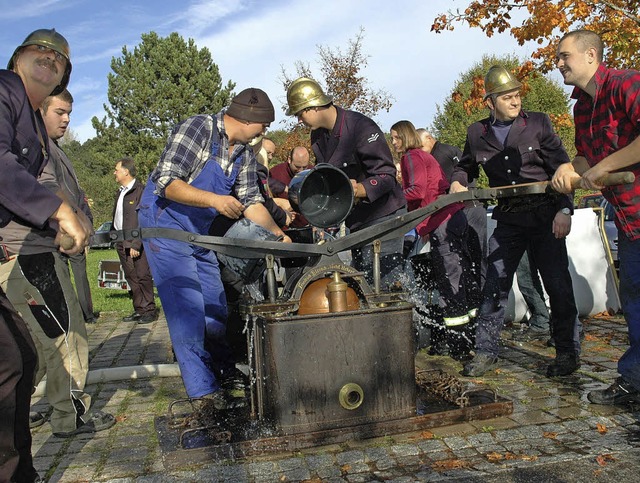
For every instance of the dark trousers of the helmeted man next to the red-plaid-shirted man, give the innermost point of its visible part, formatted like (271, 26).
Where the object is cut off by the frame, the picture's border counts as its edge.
(507, 245)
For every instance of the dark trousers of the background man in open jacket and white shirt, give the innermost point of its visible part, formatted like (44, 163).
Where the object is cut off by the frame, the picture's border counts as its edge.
(138, 275)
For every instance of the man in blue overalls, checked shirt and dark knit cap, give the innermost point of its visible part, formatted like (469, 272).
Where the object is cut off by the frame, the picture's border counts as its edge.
(206, 169)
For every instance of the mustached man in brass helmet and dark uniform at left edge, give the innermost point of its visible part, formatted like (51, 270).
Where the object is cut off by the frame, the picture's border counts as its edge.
(38, 67)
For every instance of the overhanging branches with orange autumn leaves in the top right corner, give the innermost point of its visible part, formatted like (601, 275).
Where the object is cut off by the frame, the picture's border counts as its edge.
(616, 21)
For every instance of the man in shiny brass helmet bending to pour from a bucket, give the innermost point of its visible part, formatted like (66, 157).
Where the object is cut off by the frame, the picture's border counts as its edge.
(355, 144)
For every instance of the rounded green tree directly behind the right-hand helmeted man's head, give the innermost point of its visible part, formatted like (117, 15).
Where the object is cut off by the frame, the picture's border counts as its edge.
(539, 94)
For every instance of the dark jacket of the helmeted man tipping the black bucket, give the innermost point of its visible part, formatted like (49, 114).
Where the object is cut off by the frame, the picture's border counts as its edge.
(358, 147)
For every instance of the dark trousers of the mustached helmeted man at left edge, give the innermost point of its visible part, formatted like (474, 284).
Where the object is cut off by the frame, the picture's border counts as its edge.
(17, 368)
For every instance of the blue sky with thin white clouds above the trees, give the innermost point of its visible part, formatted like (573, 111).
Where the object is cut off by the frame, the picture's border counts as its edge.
(252, 40)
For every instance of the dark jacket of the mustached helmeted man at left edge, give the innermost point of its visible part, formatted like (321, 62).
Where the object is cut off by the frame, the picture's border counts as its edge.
(21, 158)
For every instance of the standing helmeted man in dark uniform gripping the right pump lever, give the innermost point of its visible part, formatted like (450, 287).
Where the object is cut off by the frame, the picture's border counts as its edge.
(514, 147)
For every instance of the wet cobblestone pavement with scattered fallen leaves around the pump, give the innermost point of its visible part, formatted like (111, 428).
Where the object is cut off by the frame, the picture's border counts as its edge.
(553, 434)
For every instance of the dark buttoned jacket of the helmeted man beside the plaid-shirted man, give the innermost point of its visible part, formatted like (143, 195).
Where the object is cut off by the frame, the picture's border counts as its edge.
(533, 152)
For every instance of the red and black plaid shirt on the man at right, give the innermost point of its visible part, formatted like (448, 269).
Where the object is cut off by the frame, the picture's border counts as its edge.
(607, 124)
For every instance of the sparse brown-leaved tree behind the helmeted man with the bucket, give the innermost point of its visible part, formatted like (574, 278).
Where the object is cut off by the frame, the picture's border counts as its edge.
(342, 79)
